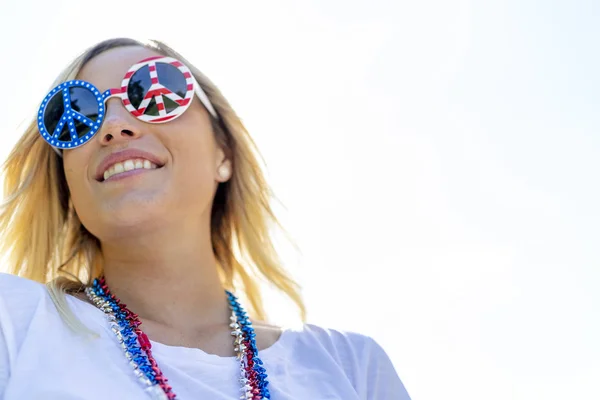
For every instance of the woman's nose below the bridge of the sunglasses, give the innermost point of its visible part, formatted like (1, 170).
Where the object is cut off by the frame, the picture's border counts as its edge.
(118, 126)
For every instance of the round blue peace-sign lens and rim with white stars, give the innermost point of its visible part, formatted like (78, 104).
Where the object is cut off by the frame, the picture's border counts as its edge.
(71, 114)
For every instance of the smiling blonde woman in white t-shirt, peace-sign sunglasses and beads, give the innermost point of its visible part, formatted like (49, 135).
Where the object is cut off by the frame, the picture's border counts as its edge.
(143, 215)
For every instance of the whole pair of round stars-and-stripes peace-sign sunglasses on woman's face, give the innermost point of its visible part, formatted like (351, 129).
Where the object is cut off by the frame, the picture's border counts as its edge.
(154, 90)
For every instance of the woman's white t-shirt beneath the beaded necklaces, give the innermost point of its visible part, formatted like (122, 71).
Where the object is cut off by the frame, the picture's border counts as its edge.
(41, 358)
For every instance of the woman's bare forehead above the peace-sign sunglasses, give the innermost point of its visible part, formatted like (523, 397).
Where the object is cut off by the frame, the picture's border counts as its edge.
(107, 69)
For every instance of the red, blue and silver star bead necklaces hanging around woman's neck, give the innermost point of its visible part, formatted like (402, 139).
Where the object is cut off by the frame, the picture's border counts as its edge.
(138, 349)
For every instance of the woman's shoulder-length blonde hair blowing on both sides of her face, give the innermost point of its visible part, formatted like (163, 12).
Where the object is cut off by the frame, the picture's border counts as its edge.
(44, 240)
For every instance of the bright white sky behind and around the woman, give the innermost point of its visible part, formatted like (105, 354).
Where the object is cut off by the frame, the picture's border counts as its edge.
(438, 161)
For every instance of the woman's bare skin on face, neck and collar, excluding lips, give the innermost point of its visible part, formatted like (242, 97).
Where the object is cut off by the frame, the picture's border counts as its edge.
(154, 227)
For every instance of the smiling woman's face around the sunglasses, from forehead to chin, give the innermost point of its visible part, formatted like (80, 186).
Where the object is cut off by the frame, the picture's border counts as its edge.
(181, 186)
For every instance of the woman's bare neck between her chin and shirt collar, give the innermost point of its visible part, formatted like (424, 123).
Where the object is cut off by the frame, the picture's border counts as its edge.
(167, 277)
